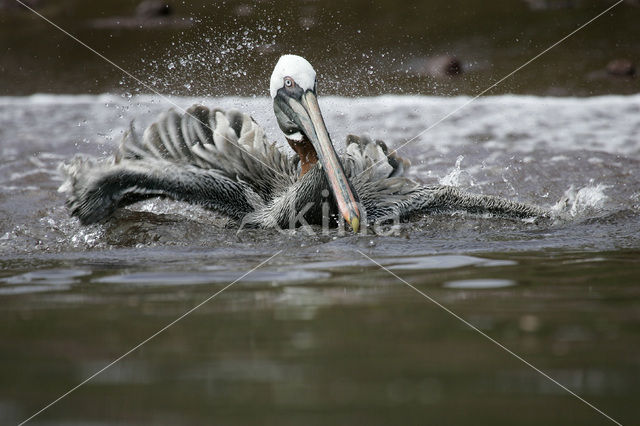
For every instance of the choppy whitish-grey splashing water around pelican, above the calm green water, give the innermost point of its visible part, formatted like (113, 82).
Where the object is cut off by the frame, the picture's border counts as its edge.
(495, 165)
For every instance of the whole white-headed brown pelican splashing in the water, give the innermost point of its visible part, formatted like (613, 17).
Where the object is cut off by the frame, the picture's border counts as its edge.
(222, 161)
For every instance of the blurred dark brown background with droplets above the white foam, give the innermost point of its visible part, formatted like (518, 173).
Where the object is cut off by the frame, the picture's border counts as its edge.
(206, 48)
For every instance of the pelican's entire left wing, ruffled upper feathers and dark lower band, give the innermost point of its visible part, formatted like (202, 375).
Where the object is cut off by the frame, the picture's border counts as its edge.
(220, 160)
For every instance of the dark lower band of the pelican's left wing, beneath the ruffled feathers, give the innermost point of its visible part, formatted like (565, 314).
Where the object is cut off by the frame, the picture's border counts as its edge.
(97, 188)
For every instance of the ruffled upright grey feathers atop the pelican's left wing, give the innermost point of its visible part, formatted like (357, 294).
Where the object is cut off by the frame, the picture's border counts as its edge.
(229, 142)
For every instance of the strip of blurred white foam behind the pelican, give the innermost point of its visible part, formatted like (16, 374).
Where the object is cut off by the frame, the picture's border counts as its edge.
(517, 123)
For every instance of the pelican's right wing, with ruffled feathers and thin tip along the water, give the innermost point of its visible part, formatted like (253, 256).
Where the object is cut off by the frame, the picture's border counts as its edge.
(385, 192)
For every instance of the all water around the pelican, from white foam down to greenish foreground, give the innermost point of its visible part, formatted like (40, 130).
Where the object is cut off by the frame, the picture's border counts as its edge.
(320, 334)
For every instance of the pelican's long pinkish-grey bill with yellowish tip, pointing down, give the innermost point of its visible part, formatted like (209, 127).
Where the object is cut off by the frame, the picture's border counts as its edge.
(308, 117)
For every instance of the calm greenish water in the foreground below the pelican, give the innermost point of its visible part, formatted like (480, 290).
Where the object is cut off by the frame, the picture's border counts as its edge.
(349, 344)
